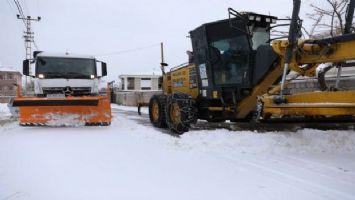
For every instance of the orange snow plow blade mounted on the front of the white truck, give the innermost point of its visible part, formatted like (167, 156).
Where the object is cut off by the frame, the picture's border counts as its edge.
(66, 111)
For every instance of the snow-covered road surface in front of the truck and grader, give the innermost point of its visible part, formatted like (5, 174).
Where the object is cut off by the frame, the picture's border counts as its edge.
(132, 160)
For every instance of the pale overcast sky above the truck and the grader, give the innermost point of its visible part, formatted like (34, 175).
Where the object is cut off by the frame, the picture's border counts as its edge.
(112, 29)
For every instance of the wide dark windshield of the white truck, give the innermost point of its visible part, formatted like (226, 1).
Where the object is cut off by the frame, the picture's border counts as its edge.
(51, 67)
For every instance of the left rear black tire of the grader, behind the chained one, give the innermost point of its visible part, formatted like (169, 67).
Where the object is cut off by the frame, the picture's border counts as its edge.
(160, 120)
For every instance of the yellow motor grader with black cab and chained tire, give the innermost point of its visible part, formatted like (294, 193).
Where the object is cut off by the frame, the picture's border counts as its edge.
(238, 73)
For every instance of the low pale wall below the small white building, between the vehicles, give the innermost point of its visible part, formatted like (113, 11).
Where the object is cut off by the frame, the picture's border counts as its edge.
(133, 98)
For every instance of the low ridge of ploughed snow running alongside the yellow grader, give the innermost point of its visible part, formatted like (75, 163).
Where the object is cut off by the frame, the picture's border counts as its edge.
(302, 141)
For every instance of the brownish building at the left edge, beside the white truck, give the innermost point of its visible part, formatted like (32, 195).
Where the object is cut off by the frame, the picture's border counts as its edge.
(9, 78)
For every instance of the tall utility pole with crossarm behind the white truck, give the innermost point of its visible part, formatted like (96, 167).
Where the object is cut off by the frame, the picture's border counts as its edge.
(29, 39)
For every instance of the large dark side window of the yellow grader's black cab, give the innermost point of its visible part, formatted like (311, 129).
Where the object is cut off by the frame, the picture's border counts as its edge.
(229, 50)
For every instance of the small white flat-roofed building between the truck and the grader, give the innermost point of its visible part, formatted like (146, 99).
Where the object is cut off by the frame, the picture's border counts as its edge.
(139, 82)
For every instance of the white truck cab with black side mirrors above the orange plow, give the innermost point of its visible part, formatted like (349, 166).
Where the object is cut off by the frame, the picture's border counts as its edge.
(65, 74)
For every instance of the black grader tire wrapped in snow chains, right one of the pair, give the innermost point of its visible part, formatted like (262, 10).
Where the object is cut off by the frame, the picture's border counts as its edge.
(187, 111)
